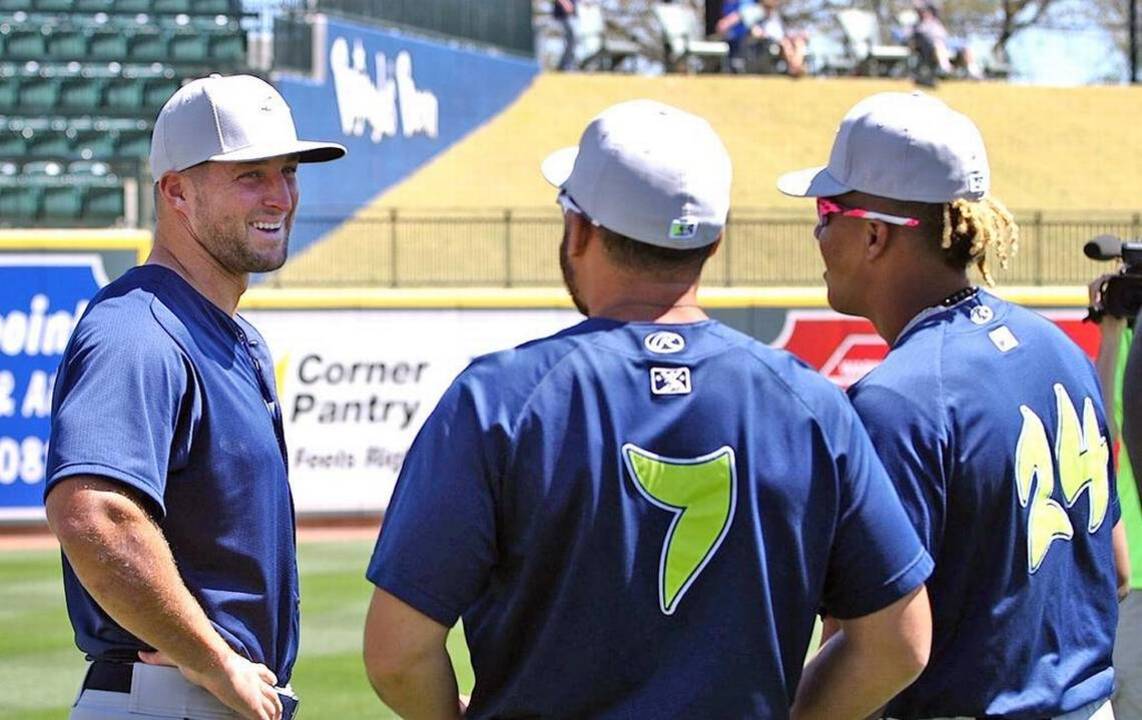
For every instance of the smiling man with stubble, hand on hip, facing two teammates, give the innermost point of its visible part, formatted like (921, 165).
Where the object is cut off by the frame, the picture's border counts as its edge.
(167, 473)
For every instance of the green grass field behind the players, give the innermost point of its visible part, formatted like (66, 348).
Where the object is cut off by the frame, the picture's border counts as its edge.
(42, 668)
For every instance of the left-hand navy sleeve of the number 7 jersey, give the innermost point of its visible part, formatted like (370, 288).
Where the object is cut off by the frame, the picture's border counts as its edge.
(438, 541)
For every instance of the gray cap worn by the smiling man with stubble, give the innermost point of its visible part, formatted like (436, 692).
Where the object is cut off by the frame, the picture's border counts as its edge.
(229, 119)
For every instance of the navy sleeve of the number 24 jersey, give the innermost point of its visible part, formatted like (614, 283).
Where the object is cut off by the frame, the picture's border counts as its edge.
(908, 445)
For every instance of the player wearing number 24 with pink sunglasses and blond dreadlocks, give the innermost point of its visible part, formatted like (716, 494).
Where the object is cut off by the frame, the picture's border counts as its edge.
(987, 418)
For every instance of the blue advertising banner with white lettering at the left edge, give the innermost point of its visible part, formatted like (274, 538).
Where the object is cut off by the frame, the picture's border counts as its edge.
(42, 299)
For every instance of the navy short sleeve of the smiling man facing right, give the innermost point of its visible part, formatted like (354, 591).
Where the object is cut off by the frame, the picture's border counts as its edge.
(120, 406)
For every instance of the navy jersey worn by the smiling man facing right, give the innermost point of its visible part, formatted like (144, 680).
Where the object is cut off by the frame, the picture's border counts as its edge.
(164, 393)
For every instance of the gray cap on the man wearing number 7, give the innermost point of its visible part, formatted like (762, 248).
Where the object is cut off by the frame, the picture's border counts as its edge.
(649, 172)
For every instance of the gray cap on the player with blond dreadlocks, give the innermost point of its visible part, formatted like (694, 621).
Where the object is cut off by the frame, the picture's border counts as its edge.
(900, 146)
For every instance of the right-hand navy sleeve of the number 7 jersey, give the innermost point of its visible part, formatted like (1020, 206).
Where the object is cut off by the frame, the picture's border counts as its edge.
(876, 556)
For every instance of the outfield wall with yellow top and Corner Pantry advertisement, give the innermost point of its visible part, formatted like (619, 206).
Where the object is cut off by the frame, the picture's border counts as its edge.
(359, 372)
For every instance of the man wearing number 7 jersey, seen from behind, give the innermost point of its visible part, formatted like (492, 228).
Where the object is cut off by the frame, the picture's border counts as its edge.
(640, 516)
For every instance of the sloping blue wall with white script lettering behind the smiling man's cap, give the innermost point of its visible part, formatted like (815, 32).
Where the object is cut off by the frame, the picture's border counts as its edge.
(395, 101)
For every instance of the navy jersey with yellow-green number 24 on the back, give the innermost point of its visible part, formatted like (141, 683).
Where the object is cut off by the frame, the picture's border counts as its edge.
(991, 422)
